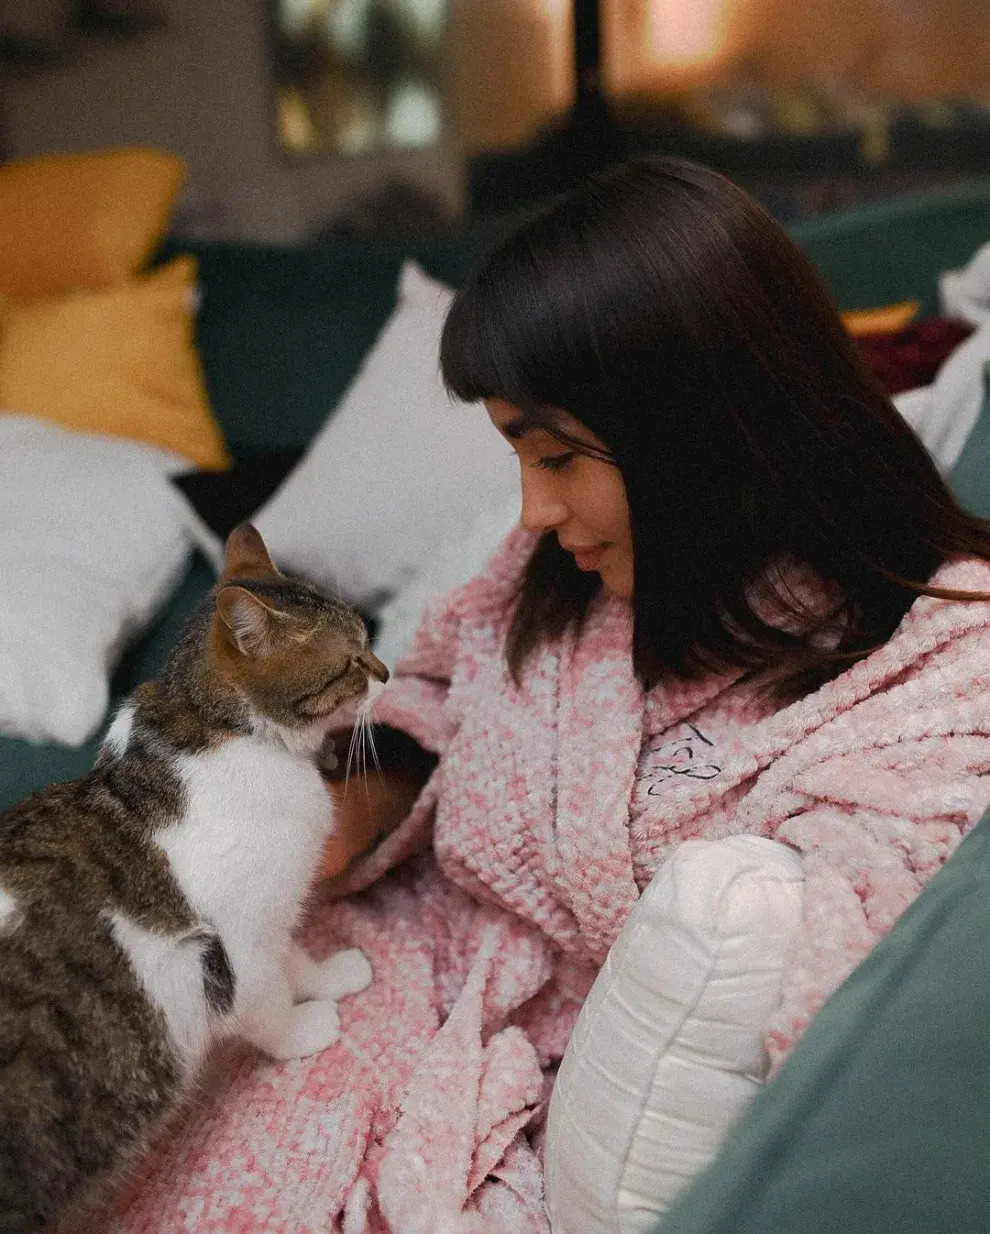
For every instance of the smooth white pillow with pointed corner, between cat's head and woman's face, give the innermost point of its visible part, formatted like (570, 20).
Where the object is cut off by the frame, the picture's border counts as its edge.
(397, 472)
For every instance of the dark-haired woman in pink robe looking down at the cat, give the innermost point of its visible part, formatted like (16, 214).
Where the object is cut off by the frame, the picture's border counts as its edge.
(741, 602)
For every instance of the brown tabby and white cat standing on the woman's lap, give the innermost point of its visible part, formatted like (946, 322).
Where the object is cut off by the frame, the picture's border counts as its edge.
(148, 909)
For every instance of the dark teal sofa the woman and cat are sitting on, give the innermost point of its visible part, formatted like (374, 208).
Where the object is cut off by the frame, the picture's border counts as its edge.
(880, 1121)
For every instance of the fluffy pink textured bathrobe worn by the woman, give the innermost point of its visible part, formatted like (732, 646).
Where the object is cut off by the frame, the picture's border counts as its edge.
(491, 910)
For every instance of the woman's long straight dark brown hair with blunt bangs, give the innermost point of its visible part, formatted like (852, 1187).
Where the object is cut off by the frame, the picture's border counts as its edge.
(672, 317)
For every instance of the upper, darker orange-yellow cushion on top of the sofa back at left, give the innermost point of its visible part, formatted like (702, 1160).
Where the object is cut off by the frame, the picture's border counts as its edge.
(83, 220)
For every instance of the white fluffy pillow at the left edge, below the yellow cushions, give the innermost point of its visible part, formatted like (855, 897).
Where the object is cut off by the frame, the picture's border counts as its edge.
(93, 540)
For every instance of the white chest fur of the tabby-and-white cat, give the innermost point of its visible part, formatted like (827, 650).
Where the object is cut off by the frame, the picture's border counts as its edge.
(249, 843)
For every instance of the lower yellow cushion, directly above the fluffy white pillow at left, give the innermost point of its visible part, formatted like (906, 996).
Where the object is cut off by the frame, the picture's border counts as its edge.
(122, 361)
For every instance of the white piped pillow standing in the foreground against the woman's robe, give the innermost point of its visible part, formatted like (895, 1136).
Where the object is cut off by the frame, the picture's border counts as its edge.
(668, 1050)
